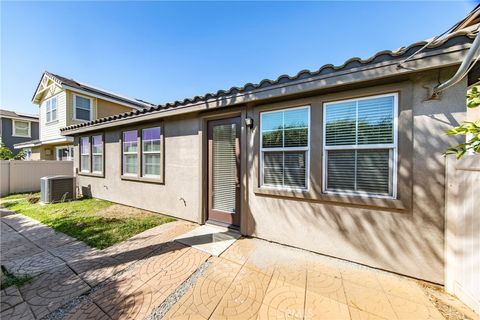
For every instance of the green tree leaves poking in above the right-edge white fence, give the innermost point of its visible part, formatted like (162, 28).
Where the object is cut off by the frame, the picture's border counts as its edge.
(470, 128)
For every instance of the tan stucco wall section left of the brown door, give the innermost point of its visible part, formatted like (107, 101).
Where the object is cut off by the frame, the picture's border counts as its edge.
(179, 196)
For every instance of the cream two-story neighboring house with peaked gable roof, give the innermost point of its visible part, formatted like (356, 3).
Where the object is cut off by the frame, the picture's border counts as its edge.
(64, 102)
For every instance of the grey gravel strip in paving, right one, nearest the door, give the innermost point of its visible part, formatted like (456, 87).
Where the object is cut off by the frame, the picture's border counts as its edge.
(160, 311)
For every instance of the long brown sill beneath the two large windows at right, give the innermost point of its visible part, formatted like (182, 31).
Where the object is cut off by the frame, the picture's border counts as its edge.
(347, 200)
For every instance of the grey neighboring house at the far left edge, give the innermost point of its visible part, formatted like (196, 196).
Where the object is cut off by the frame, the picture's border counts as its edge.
(16, 128)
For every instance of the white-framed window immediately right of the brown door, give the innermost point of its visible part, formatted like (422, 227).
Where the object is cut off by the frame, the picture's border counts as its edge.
(284, 148)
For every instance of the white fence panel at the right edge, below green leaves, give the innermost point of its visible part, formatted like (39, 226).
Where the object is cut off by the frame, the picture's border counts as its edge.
(462, 230)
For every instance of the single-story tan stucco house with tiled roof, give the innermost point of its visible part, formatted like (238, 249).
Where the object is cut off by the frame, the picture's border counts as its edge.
(346, 160)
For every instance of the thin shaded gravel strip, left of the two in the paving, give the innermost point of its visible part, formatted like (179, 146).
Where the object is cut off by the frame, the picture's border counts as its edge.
(61, 312)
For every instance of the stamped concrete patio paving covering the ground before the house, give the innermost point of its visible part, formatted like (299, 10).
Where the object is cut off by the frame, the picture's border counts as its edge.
(150, 277)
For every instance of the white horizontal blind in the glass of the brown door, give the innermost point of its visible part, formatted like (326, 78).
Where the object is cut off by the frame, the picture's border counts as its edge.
(224, 167)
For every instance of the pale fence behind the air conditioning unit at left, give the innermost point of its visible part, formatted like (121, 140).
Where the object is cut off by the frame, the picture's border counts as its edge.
(24, 176)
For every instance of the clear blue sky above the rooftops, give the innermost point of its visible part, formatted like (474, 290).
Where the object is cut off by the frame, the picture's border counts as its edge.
(164, 51)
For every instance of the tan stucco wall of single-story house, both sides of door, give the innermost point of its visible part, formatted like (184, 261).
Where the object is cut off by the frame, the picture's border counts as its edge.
(404, 236)
